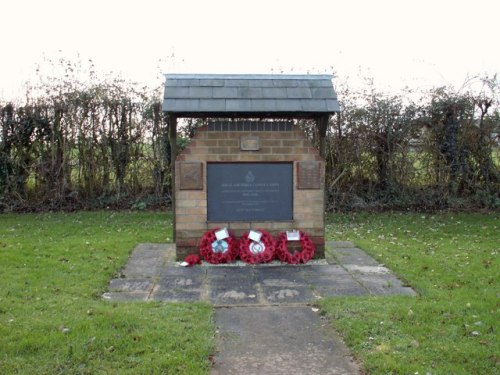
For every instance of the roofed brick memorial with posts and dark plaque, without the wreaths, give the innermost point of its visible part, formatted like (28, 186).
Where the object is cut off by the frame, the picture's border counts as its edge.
(251, 167)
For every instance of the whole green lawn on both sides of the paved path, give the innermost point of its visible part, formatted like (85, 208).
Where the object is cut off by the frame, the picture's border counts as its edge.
(54, 268)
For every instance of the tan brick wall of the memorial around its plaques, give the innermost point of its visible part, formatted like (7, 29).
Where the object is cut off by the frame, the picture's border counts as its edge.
(214, 143)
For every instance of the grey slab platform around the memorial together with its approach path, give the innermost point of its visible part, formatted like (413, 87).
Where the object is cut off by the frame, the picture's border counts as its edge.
(264, 318)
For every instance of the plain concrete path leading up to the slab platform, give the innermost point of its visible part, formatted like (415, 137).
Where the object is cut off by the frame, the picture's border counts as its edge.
(278, 340)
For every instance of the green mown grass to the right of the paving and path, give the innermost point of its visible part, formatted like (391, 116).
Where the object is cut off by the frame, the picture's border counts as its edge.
(452, 262)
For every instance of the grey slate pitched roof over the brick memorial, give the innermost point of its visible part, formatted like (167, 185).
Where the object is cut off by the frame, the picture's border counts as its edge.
(247, 95)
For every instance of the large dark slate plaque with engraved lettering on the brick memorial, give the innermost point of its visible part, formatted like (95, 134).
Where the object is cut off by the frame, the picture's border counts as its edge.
(249, 191)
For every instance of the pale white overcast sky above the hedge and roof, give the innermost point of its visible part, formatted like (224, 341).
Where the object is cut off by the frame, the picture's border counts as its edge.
(417, 43)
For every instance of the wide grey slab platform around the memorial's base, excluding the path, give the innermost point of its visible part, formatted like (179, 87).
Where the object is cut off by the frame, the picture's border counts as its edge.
(153, 274)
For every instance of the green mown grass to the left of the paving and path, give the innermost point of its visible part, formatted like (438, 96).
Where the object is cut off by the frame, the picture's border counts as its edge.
(53, 270)
